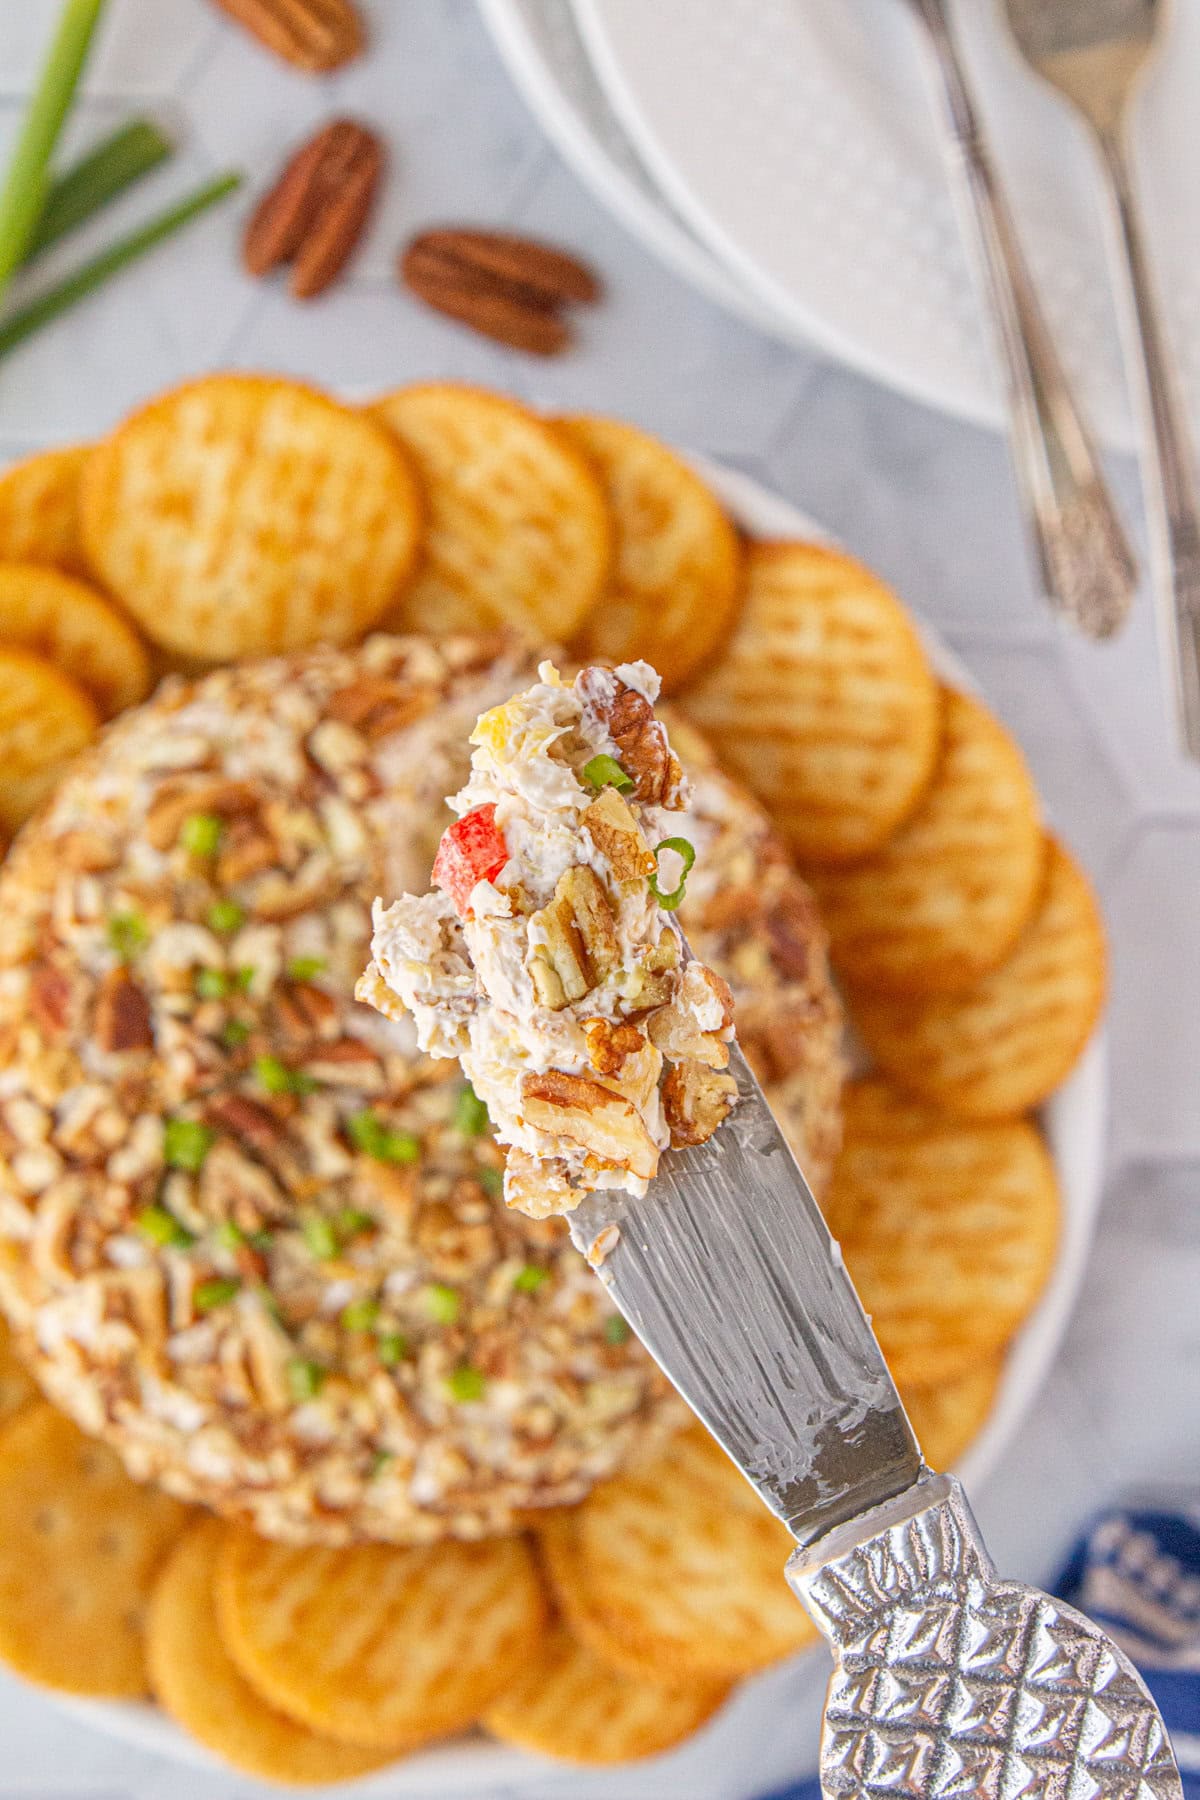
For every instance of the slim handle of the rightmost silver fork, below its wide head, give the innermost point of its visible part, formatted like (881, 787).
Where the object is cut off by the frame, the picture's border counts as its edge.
(1170, 463)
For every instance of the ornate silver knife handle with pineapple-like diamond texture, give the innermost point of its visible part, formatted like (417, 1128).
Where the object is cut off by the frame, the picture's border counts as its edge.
(954, 1682)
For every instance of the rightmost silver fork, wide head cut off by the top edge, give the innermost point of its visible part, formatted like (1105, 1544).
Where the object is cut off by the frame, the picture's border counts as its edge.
(1097, 55)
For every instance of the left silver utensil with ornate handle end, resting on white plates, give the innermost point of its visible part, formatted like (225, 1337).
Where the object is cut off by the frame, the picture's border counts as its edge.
(1086, 561)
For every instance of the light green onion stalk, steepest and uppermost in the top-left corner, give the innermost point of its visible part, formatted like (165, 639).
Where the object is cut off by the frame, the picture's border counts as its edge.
(26, 183)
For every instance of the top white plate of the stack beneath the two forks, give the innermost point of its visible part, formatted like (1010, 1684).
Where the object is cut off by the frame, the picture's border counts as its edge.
(798, 139)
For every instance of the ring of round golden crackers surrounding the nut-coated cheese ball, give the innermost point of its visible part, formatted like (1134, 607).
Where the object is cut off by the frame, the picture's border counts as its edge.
(247, 516)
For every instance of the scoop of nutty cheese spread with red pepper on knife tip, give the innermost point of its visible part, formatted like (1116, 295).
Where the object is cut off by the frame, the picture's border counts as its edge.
(548, 958)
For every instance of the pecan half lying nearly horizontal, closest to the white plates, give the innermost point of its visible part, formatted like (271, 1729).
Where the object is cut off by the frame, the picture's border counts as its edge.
(510, 289)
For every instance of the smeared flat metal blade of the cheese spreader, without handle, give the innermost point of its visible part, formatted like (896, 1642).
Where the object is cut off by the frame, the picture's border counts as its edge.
(728, 1273)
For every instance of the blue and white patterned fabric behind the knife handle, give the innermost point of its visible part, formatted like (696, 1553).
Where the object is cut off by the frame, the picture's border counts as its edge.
(1138, 1574)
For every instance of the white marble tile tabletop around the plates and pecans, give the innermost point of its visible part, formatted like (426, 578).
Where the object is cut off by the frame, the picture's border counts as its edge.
(927, 501)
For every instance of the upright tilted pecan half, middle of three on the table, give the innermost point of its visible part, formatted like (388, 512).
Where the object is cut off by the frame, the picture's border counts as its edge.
(316, 213)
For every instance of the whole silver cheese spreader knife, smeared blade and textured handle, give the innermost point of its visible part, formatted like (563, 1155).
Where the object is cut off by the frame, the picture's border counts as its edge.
(947, 1680)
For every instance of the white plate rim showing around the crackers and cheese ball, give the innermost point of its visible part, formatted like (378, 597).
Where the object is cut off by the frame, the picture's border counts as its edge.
(1075, 1128)
